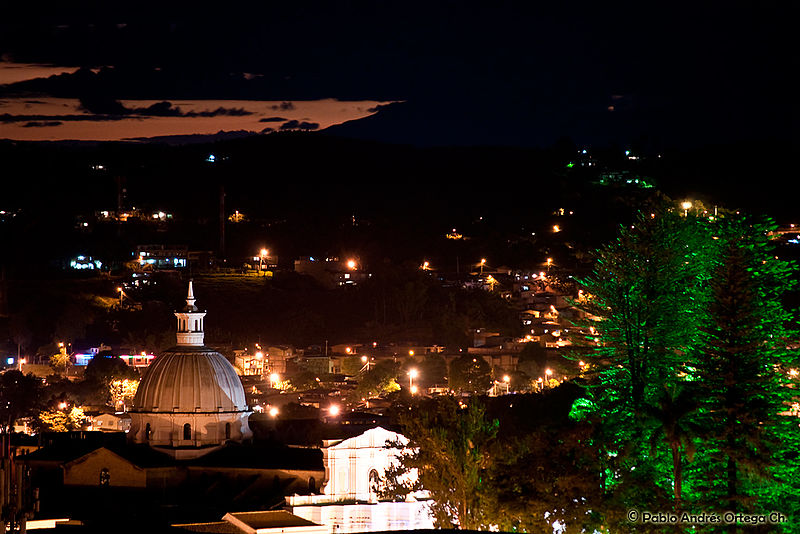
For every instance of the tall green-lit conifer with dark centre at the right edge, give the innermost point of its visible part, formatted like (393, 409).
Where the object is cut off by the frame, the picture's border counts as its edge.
(742, 370)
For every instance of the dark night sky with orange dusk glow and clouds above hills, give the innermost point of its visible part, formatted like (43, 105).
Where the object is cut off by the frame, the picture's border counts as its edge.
(463, 73)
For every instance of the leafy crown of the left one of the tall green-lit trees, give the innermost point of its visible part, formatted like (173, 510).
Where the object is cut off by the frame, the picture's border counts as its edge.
(647, 291)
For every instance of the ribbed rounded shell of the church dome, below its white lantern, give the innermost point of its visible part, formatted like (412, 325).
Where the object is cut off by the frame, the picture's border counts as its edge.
(190, 380)
